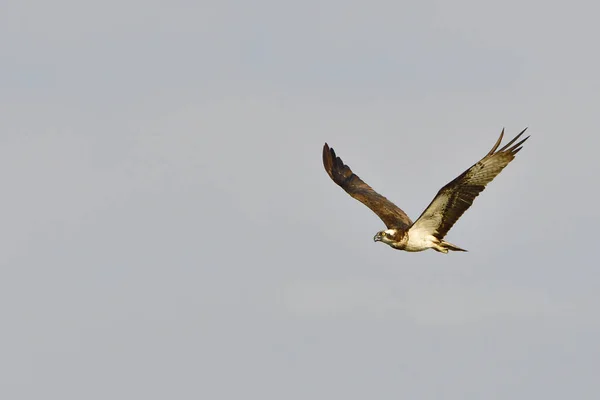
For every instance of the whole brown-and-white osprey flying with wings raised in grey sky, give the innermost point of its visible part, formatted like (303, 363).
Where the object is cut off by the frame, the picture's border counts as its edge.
(428, 231)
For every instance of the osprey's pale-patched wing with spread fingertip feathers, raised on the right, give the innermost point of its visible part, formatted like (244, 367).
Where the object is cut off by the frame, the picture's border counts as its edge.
(457, 196)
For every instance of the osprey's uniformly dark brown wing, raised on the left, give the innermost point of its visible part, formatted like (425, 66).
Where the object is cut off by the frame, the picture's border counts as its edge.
(390, 214)
